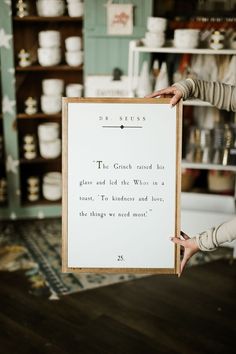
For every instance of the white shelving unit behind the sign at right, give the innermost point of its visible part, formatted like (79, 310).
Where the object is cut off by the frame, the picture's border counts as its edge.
(199, 210)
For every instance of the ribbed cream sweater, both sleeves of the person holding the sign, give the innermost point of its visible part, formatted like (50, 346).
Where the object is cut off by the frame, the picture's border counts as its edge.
(222, 96)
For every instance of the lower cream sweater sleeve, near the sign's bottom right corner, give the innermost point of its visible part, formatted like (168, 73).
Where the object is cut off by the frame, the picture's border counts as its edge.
(211, 239)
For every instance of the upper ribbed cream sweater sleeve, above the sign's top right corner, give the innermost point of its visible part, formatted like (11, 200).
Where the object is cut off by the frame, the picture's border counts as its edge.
(220, 95)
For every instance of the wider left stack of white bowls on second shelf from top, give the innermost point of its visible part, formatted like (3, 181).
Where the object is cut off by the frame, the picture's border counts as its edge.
(49, 51)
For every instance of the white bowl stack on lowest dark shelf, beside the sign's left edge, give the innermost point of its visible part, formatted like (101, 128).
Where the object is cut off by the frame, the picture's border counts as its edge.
(52, 186)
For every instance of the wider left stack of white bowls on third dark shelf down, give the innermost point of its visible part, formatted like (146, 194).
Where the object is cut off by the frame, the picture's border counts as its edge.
(52, 94)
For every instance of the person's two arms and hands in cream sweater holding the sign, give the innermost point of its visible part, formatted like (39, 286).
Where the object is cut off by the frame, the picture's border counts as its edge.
(222, 96)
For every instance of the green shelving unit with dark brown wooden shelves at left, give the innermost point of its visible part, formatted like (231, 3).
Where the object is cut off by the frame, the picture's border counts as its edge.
(19, 83)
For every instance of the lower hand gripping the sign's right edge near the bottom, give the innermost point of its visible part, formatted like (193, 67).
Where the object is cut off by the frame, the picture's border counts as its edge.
(190, 248)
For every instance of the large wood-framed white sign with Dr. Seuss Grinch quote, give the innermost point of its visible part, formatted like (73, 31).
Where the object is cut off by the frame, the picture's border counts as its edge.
(121, 185)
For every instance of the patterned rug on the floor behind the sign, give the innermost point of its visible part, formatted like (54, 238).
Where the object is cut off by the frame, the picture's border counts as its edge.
(35, 246)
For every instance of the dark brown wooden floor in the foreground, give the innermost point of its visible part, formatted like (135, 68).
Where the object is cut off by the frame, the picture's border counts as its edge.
(156, 314)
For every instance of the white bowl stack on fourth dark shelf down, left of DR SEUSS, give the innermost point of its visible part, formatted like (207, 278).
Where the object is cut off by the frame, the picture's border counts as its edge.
(49, 142)
